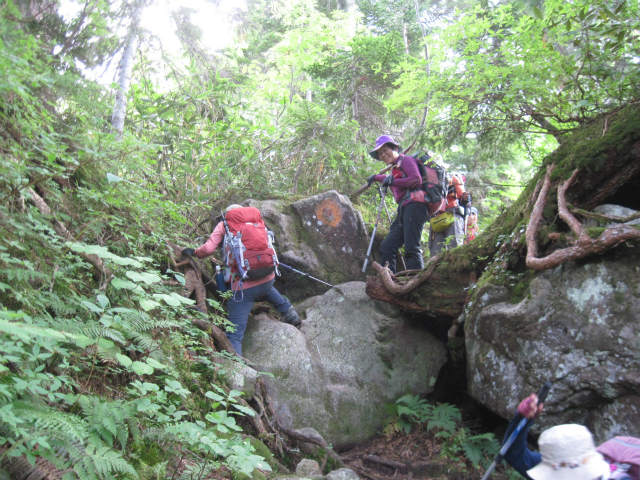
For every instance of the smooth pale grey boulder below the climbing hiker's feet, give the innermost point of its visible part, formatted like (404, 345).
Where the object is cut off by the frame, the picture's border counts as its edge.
(351, 356)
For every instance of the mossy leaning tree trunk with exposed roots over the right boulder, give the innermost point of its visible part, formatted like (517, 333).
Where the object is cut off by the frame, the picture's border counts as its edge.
(599, 163)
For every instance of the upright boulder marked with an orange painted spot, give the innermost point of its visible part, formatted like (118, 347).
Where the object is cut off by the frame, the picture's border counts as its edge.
(322, 236)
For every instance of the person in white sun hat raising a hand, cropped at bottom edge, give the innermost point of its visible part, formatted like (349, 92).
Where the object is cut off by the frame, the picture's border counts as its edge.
(567, 451)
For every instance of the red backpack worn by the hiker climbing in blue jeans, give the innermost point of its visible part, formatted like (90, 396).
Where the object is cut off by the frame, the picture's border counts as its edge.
(248, 245)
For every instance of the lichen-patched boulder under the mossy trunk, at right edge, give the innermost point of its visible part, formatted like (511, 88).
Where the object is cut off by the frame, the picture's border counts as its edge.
(578, 326)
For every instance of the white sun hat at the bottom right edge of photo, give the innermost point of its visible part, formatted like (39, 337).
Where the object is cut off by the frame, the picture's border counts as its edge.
(568, 453)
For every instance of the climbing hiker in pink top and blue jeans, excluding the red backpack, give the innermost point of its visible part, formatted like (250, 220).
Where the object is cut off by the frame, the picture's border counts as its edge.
(246, 291)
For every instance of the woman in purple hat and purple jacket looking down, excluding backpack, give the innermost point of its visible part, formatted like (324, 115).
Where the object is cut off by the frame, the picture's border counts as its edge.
(404, 181)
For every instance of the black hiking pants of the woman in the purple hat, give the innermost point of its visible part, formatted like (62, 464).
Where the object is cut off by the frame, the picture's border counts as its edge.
(406, 230)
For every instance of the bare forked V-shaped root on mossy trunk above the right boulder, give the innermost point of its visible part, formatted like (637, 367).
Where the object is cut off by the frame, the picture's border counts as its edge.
(583, 244)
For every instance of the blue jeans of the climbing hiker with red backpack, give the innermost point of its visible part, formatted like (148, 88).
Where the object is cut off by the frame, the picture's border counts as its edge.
(240, 305)
